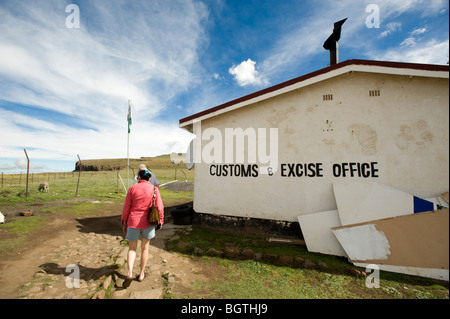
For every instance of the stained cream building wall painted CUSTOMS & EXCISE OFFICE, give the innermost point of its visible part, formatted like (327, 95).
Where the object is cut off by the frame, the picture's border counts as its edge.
(399, 137)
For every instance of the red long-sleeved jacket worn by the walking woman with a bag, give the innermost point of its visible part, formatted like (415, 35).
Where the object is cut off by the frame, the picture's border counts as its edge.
(138, 201)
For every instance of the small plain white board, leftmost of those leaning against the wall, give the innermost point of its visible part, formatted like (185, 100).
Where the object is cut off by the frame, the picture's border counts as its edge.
(316, 230)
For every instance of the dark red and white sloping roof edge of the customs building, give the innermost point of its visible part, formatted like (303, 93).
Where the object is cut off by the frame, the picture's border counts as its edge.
(394, 68)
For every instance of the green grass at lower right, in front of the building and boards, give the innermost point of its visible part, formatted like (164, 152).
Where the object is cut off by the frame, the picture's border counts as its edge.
(251, 279)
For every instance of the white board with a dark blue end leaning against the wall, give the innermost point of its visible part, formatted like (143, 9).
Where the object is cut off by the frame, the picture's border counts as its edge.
(362, 202)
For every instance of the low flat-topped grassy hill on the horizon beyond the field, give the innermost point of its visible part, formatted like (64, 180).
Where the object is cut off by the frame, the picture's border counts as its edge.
(162, 161)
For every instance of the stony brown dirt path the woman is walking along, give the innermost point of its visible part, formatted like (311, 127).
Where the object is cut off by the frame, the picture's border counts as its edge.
(94, 244)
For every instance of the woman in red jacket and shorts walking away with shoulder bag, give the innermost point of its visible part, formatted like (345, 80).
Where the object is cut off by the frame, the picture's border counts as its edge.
(134, 221)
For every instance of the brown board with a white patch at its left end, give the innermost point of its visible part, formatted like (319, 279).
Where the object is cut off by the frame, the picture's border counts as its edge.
(415, 244)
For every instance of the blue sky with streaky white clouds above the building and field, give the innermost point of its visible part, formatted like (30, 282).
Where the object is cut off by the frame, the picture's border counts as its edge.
(64, 90)
